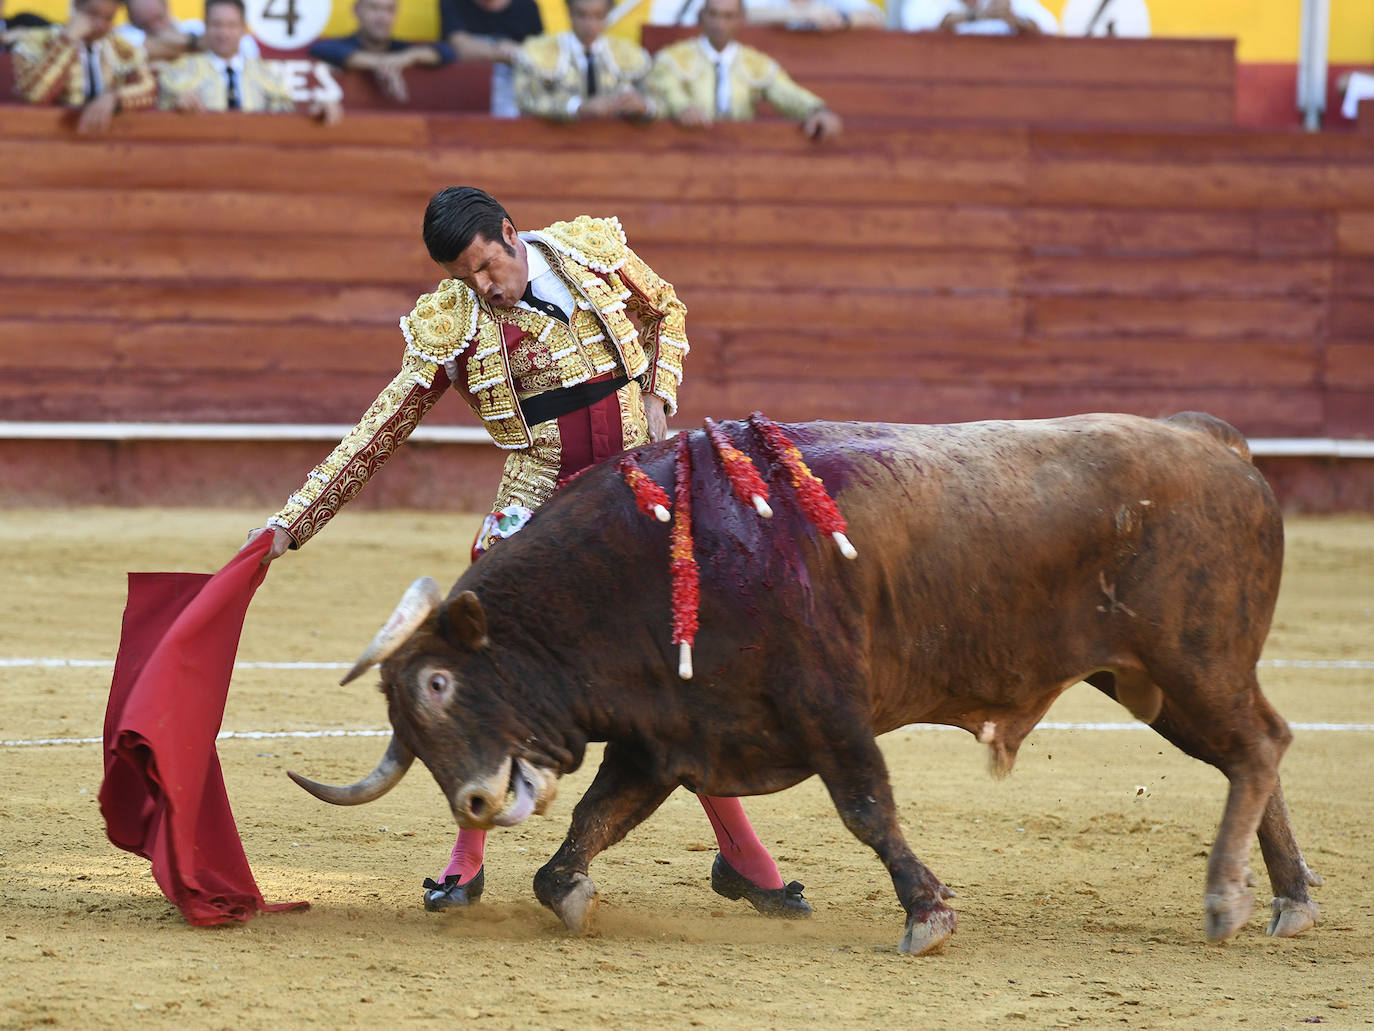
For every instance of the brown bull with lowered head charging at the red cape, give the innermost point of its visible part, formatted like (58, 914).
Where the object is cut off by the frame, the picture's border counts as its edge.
(1000, 564)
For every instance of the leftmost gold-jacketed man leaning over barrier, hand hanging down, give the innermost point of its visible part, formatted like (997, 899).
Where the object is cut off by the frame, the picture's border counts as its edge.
(83, 65)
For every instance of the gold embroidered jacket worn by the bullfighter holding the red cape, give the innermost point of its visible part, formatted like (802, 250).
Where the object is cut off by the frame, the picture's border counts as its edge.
(497, 358)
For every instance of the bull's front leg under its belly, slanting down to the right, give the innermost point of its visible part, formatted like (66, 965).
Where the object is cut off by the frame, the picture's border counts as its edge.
(858, 784)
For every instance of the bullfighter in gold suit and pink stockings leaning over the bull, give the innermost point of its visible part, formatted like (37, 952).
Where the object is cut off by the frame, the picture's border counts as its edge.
(571, 350)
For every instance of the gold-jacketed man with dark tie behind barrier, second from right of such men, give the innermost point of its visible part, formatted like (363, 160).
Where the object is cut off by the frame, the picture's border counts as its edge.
(583, 74)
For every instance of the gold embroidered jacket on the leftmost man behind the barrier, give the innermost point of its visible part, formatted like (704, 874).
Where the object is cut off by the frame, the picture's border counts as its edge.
(47, 69)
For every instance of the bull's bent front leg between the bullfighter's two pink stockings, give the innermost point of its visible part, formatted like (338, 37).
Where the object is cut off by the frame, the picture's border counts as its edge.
(620, 798)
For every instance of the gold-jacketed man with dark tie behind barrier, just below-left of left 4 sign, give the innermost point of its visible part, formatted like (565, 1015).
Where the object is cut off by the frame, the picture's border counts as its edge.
(221, 79)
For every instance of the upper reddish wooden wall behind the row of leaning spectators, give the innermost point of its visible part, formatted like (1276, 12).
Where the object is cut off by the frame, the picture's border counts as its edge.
(881, 76)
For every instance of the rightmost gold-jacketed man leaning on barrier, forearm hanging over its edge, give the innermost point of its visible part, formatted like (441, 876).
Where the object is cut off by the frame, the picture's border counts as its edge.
(712, 78)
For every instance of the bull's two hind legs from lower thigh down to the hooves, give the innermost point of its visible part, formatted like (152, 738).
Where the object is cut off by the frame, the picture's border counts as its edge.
(1243, 736)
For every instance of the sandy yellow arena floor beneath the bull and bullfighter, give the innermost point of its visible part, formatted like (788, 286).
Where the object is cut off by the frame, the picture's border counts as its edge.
(1079, 878)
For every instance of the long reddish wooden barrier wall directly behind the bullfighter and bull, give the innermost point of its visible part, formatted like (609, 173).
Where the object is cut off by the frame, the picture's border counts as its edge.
(254, 269)
